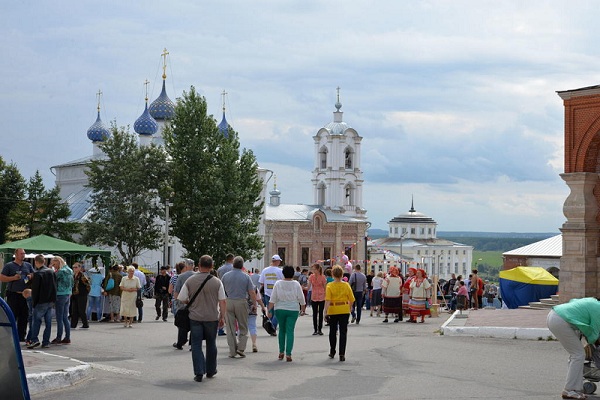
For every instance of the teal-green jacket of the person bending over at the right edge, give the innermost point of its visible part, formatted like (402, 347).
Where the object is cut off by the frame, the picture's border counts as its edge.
(583, 314)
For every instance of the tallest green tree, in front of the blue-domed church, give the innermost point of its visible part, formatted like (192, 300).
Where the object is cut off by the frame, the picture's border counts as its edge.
(215, 187)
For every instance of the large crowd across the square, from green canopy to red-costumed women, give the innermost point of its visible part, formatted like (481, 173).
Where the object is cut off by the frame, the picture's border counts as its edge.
(224, 301)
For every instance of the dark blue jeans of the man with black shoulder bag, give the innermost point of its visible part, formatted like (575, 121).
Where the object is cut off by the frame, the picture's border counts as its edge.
(204, 330)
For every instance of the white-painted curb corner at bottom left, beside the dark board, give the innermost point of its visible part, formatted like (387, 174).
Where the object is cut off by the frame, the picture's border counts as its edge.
(44, 381)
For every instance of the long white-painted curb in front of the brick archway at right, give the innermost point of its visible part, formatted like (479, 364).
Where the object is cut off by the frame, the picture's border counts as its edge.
(495, 331)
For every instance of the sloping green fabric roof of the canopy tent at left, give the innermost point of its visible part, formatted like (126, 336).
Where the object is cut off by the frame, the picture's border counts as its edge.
(48, 244)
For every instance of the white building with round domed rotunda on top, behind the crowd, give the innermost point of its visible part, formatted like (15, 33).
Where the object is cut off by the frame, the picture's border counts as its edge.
(412, 242)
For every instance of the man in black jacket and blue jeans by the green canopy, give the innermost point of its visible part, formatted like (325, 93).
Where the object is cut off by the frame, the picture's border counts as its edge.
(43, 294)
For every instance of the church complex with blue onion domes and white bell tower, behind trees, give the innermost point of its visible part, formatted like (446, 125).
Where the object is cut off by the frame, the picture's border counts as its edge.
(336, 224)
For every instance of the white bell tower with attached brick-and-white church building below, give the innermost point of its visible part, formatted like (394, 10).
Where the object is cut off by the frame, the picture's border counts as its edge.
(336, 224)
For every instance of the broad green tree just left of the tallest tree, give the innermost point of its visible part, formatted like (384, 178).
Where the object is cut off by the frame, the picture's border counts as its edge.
(126, 207)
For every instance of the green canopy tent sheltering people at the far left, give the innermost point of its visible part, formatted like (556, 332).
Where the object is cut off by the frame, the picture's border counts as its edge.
(44, 244)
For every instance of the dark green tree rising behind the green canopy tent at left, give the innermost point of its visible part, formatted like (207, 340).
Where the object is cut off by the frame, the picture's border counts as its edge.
(42, 212)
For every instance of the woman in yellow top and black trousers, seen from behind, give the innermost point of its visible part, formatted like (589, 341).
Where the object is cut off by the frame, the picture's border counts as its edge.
(338, 300)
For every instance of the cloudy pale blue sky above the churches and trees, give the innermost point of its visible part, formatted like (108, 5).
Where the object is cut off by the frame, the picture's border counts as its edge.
(455, 100)
